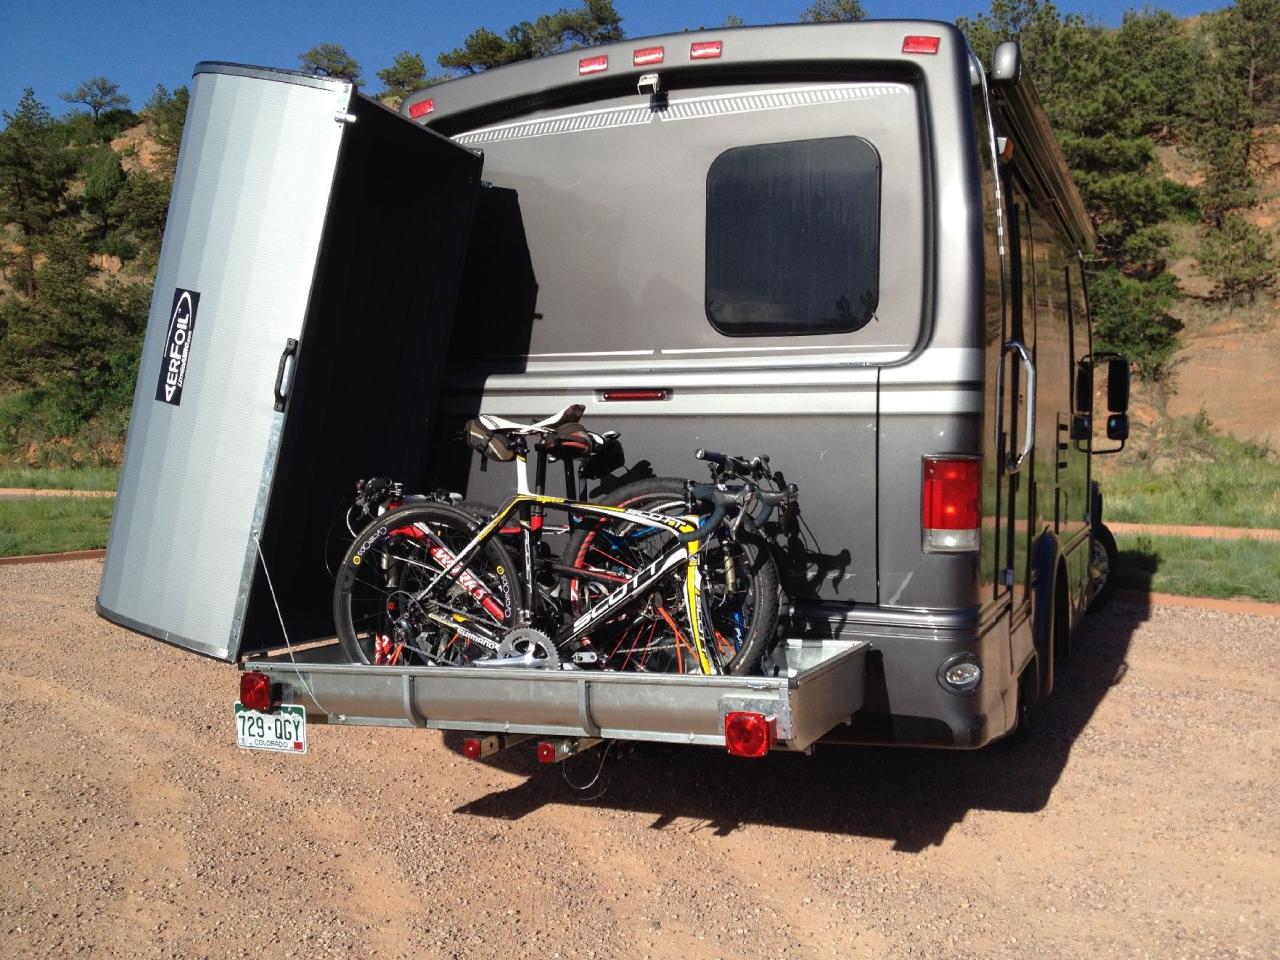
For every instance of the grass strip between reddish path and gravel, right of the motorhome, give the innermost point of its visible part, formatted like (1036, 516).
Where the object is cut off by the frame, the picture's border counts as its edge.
(1180, 565)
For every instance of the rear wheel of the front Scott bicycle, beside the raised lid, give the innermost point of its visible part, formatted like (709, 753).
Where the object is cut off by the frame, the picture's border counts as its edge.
(380, 607)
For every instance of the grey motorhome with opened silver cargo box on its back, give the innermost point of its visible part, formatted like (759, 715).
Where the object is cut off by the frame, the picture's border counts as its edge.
(851, 246)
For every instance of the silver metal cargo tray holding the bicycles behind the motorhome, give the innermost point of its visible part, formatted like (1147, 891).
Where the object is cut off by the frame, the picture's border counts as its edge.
(819, 685)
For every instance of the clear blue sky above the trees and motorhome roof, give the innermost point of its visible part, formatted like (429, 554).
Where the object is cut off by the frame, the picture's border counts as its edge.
(54, 45)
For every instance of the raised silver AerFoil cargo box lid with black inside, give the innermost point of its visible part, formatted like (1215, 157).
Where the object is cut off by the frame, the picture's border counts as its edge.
(303, 308)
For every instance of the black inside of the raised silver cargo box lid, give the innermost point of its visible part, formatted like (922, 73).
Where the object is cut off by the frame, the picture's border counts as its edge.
(373, 345)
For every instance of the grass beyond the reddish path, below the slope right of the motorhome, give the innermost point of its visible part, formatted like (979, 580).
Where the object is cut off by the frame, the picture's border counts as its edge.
(1197, 477)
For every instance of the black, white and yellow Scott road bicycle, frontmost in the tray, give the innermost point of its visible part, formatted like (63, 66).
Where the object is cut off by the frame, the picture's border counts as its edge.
(429, 583)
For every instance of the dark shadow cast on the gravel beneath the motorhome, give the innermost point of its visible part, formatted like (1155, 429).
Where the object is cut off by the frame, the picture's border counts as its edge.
(909, 797)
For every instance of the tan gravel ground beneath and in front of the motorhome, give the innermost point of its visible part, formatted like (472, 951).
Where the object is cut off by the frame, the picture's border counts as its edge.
(1140, 821)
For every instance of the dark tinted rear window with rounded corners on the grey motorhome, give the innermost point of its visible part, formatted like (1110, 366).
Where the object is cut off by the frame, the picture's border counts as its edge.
(793, 237)
